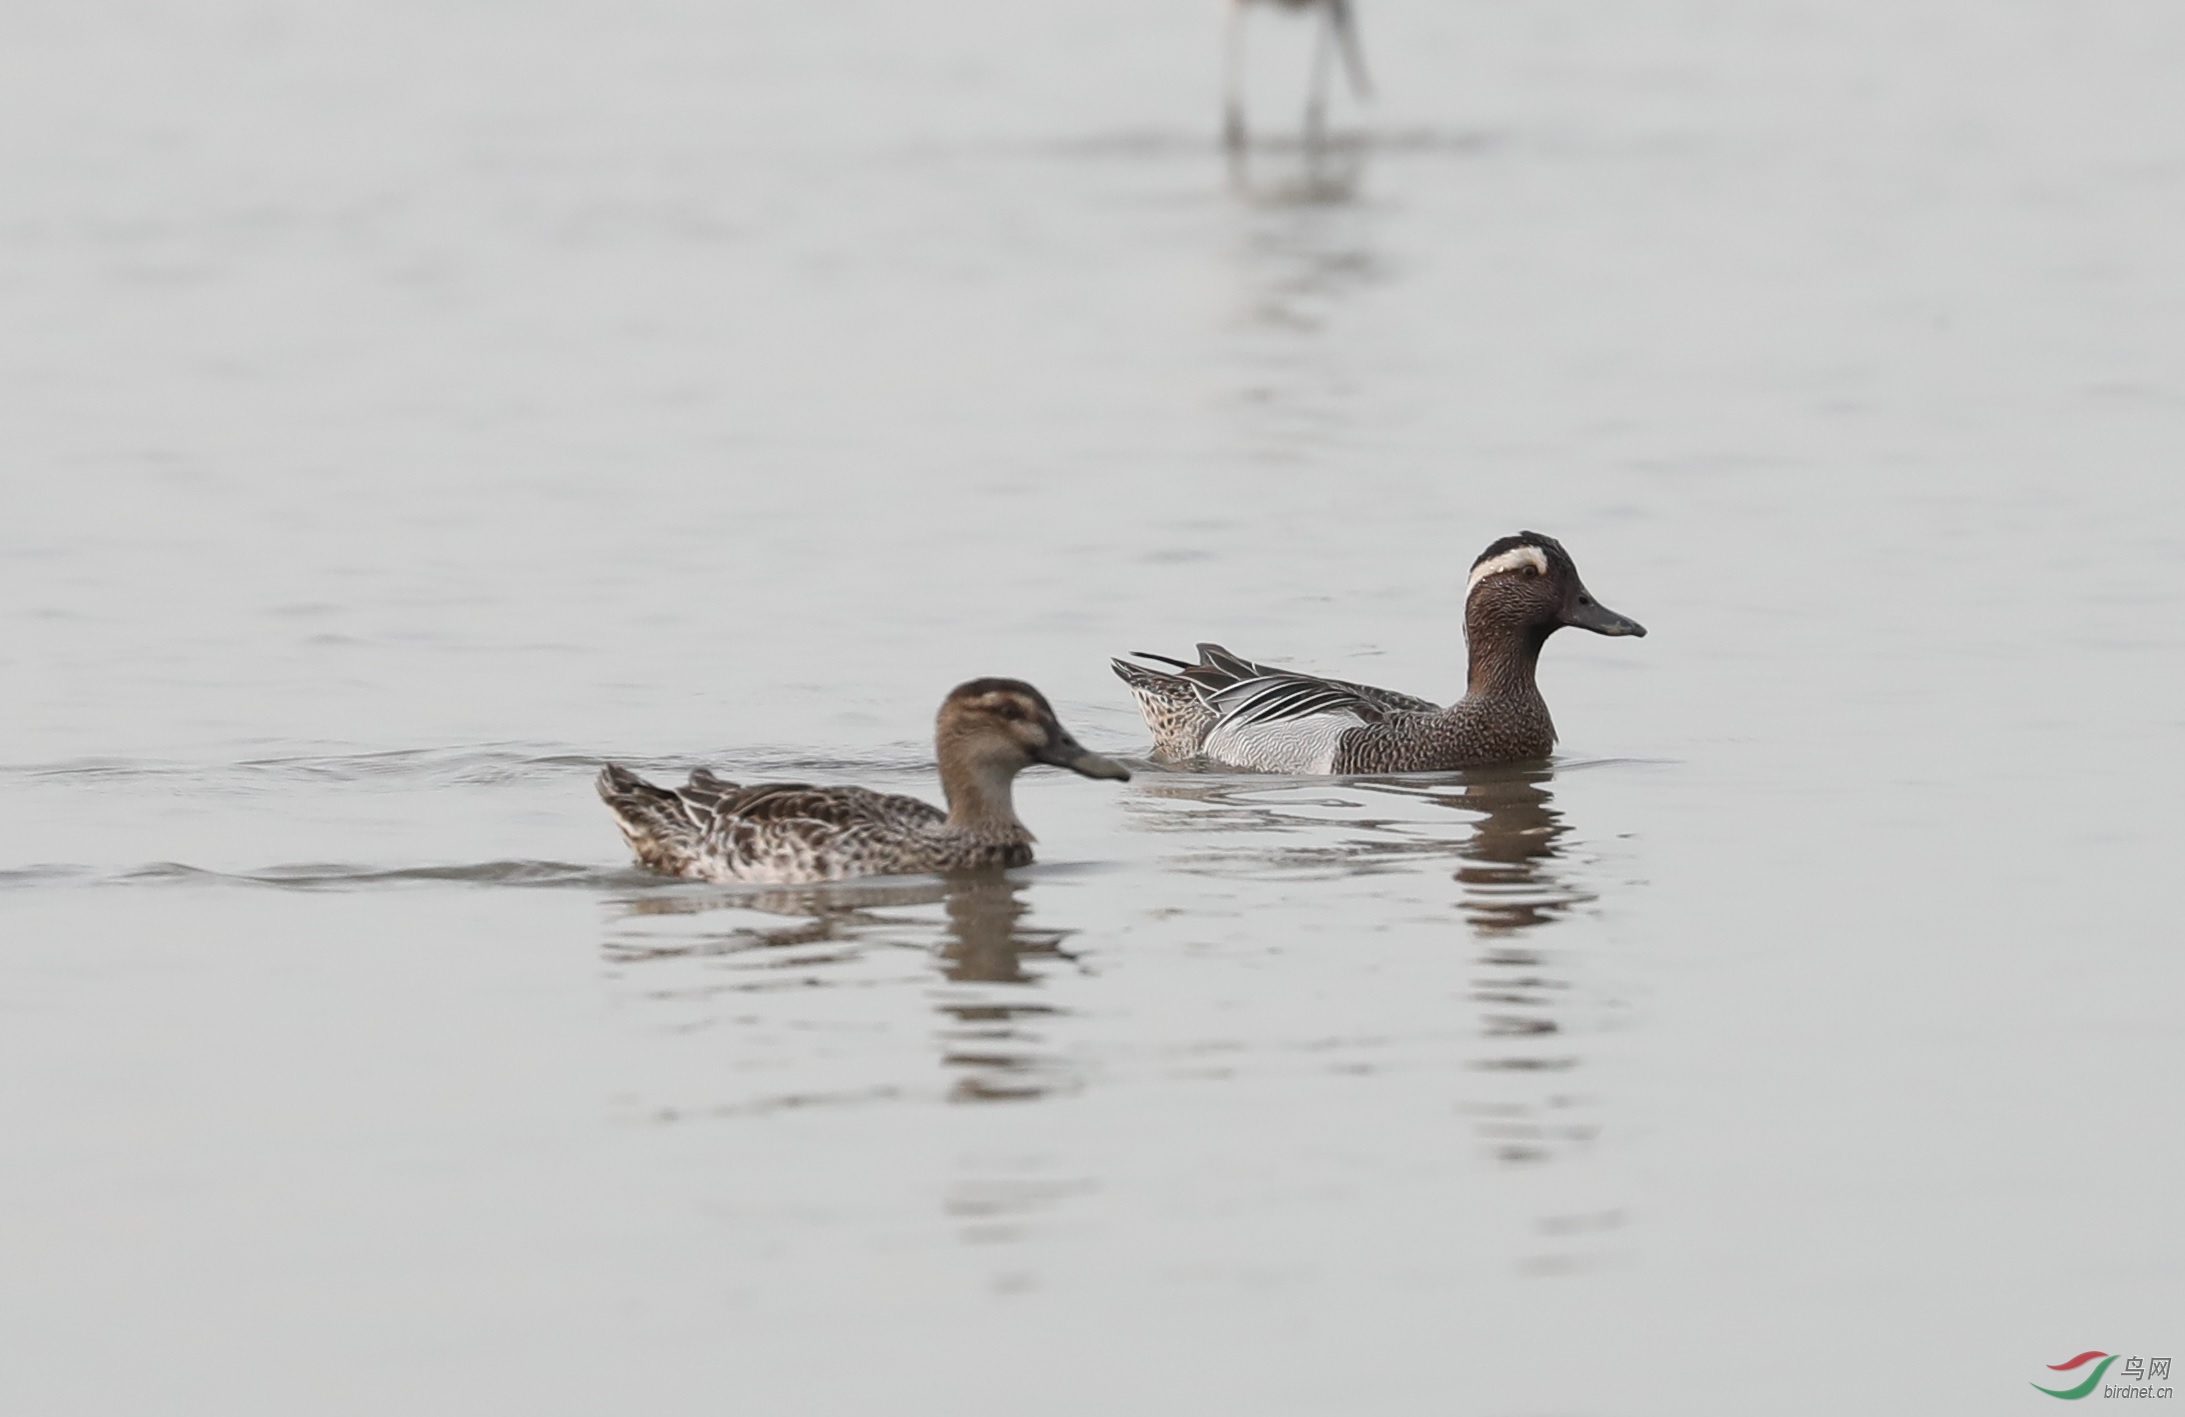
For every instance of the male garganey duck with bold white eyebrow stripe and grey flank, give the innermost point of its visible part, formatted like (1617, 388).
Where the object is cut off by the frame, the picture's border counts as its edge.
(1247, 715)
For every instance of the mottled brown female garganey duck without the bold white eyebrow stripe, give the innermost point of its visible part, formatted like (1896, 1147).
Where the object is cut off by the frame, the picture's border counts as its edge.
(786, 833)
